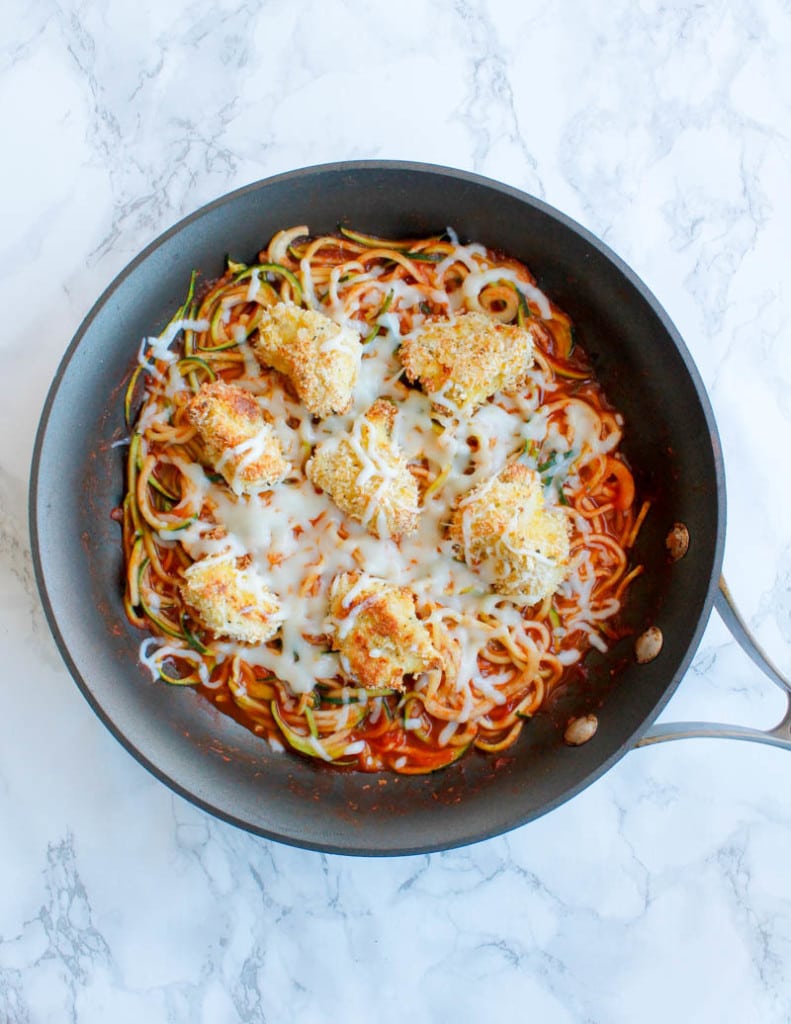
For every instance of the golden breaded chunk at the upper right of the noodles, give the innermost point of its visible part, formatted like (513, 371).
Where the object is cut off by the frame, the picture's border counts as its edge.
(461, 363)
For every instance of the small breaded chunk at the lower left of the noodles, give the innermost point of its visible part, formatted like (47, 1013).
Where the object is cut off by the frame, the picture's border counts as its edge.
(231, 602)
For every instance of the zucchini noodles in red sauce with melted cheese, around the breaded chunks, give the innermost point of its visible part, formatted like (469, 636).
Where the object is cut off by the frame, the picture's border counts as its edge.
(501, 659)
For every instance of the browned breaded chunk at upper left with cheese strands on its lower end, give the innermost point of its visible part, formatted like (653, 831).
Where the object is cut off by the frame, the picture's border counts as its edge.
(236, 440)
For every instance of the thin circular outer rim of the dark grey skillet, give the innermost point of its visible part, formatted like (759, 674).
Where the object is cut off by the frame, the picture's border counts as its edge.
(35, 499)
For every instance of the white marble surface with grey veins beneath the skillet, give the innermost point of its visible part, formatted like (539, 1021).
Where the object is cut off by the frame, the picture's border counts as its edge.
(663, 892)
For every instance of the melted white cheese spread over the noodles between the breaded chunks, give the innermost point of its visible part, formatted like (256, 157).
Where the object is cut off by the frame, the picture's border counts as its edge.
(295, 535)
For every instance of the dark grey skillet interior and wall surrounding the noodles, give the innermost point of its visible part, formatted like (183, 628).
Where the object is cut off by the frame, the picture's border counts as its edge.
(672, 440)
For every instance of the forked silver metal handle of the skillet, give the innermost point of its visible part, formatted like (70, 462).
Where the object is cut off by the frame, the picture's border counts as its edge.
(779, 737)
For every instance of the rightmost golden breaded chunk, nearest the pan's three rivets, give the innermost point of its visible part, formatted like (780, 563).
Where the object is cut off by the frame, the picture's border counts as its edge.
(505, 532)
